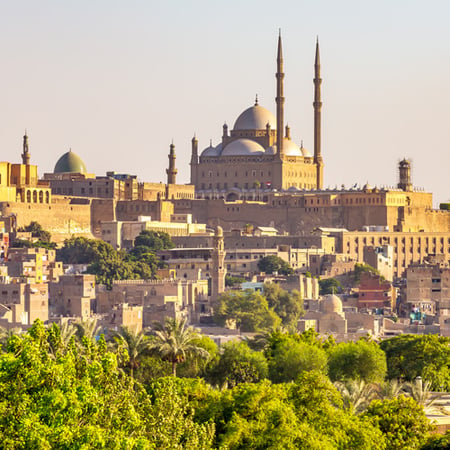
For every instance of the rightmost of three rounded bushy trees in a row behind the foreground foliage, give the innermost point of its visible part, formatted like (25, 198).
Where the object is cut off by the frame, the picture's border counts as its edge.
(361, 360)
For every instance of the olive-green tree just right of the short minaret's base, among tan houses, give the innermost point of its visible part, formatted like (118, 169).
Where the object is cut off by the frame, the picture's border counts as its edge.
(248, 309)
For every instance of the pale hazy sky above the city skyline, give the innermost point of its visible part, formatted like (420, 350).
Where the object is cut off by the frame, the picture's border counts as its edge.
(118, 81)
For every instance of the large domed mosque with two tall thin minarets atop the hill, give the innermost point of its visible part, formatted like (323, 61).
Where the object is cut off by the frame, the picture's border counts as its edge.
(258, 153)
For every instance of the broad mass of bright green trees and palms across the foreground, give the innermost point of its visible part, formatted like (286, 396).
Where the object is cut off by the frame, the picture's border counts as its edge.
(67, 387)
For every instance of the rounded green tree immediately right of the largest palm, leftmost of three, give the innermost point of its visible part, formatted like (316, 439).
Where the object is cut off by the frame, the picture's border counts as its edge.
(238, 364)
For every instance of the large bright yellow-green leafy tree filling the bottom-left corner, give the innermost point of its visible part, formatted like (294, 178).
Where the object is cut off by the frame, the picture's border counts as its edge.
(82, 400)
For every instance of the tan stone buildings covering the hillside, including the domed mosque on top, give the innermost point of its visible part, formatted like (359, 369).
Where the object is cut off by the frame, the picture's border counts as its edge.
(256, 193)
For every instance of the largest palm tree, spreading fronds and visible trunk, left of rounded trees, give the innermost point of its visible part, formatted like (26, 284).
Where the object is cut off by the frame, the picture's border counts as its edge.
(175, 342)
